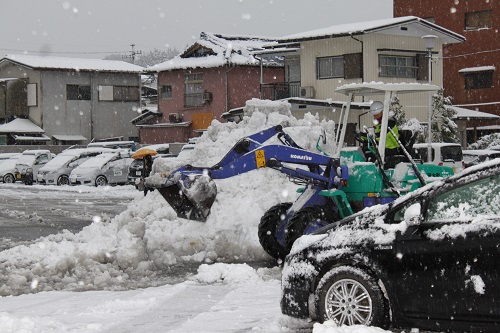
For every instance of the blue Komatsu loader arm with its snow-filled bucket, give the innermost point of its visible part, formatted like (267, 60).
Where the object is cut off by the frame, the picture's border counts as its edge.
(191, 191)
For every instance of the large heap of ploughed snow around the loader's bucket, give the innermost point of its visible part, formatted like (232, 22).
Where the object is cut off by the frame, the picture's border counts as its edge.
(148, 238)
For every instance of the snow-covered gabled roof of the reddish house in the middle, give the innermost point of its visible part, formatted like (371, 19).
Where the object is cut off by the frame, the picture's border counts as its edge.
(216, 50)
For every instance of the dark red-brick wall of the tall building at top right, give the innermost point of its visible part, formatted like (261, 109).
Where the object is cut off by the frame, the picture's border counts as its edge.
(481, 47)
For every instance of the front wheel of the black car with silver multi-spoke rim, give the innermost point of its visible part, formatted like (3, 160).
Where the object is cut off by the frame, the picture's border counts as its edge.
(349, 296)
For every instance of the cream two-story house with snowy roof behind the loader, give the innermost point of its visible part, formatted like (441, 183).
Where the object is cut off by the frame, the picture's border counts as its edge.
(389, 50)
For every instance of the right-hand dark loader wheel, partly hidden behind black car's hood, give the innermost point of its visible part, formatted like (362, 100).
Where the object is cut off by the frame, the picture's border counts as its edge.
(303, 218)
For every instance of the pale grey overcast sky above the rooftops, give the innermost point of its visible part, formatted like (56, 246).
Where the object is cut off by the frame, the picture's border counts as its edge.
(96, 28)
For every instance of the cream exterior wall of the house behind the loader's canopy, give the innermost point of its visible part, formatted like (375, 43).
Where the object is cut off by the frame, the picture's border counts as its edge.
(415, 105)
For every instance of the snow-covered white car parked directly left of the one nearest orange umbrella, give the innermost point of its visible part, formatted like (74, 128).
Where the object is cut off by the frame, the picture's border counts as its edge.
(57, 170)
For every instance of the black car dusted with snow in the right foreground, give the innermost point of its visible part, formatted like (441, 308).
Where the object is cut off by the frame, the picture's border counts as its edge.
(429, 260)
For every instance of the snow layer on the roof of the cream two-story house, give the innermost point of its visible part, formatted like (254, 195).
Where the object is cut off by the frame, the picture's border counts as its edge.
(371, 27)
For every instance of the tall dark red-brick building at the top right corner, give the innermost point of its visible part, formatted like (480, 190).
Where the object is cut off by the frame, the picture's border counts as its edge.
(470, 69)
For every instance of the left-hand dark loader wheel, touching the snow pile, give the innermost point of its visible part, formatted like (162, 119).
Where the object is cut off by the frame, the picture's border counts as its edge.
(268, 226)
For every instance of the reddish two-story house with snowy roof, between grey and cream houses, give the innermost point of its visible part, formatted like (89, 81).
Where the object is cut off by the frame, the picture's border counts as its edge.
(213, 75)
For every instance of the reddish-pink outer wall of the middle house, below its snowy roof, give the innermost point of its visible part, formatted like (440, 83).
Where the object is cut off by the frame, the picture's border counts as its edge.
(230, 87)
